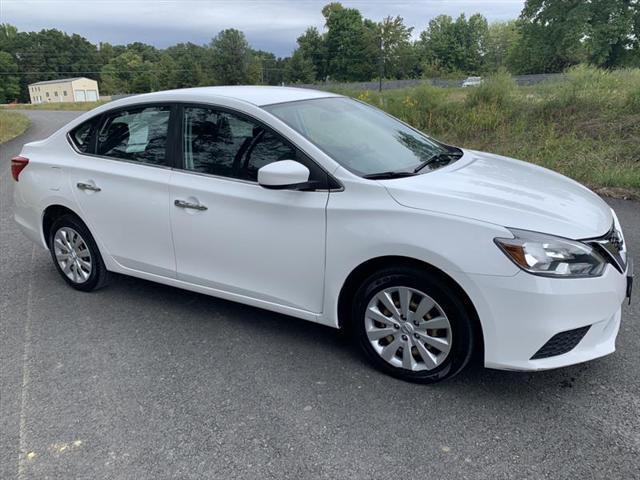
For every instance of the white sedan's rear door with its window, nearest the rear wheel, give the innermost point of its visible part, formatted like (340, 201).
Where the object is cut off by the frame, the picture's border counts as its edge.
(121, 183)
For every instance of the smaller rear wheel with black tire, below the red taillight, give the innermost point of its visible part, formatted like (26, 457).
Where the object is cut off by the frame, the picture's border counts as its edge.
(75, 254)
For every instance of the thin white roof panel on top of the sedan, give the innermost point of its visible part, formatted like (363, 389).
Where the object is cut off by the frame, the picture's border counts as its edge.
(256, 95)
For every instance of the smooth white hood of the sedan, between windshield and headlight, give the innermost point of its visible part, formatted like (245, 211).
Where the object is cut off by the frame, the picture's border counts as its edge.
(506, 192)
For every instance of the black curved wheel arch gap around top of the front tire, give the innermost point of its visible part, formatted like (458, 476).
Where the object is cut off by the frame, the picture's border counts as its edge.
(369, 267)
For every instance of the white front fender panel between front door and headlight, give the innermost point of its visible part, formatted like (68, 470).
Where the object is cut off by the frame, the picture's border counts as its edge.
(458, 246)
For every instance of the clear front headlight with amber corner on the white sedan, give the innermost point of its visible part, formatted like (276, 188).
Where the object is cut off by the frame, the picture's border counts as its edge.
(551, 256)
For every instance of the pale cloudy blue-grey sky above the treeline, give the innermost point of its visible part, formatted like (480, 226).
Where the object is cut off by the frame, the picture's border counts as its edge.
(271, 25)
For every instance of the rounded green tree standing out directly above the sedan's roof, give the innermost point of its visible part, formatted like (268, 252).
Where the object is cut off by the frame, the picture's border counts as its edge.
(232, 58)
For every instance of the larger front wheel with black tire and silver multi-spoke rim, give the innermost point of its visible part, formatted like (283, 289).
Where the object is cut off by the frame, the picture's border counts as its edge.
(433, 354)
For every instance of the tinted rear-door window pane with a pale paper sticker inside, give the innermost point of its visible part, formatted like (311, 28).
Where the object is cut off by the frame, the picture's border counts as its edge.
(138, 135)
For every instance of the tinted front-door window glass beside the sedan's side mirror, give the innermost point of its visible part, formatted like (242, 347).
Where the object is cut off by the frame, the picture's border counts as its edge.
(225, 144)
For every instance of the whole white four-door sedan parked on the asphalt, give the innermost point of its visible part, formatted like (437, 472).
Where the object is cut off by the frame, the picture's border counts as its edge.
(323, 208)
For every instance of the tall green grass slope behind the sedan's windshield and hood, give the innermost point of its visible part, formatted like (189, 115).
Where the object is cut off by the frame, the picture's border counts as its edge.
(586, 127)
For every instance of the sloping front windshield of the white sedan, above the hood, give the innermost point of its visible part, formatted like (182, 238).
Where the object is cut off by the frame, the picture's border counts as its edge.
(361, 138)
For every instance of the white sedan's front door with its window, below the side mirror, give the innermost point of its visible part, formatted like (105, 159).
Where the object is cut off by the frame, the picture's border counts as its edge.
(234, 235)
